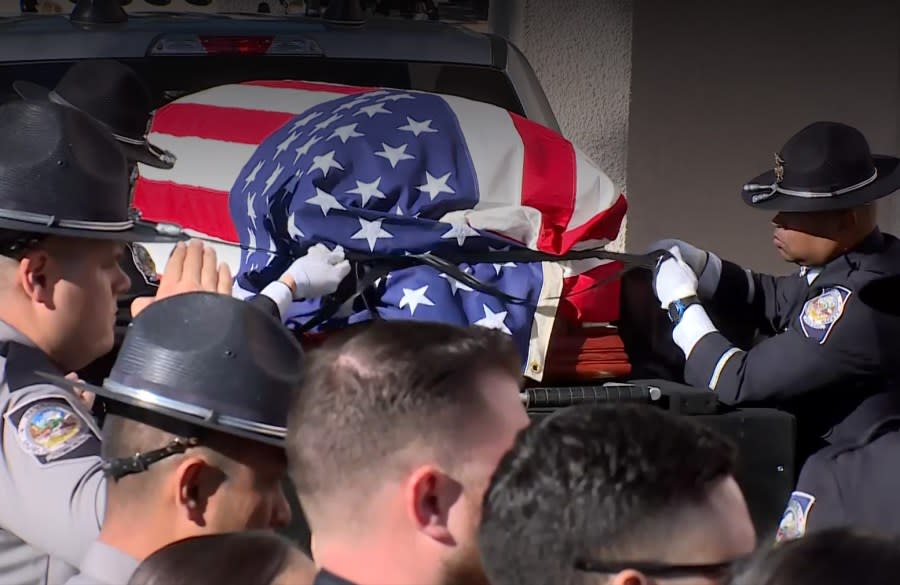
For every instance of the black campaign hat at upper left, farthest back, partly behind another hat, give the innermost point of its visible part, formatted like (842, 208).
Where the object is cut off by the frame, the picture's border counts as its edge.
(114, 95)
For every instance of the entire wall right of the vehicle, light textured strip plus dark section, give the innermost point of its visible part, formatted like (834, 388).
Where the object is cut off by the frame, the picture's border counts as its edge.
(687, 100)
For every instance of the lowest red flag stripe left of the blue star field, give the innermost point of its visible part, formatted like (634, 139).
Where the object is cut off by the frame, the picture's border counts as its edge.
(193, 208)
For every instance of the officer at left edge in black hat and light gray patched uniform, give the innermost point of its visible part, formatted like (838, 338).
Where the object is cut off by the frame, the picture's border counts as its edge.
(64, 218)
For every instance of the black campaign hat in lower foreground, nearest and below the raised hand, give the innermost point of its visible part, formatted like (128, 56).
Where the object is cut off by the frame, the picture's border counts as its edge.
(210, 360)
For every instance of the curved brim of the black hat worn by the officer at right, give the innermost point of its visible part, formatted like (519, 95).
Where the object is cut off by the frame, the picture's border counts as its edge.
(888, 181)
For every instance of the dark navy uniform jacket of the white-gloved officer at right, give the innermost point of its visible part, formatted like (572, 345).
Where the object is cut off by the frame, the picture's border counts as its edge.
(821, 337)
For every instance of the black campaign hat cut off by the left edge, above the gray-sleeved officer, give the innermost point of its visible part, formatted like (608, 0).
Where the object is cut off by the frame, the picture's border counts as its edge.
(62, 173)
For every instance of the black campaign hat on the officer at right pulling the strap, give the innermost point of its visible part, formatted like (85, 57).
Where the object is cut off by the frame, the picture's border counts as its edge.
(826, 166)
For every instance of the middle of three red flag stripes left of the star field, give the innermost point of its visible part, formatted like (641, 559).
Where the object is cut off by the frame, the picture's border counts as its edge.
(239, 125)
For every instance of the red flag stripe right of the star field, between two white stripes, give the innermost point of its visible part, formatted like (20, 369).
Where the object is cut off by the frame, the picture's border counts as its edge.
(548, 180)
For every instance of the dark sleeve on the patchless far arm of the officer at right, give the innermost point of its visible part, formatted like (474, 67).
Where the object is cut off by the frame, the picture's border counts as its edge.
(761, 301)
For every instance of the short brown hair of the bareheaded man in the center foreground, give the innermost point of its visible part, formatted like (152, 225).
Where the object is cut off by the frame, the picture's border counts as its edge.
(369, 395)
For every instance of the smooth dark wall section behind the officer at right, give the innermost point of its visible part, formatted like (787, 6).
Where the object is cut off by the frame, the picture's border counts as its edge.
(718, 87)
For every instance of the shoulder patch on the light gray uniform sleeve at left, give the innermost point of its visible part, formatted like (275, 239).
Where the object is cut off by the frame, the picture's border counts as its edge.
(51, 430)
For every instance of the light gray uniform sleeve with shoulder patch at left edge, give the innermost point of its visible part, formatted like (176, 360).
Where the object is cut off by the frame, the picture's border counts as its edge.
(52, 483)
